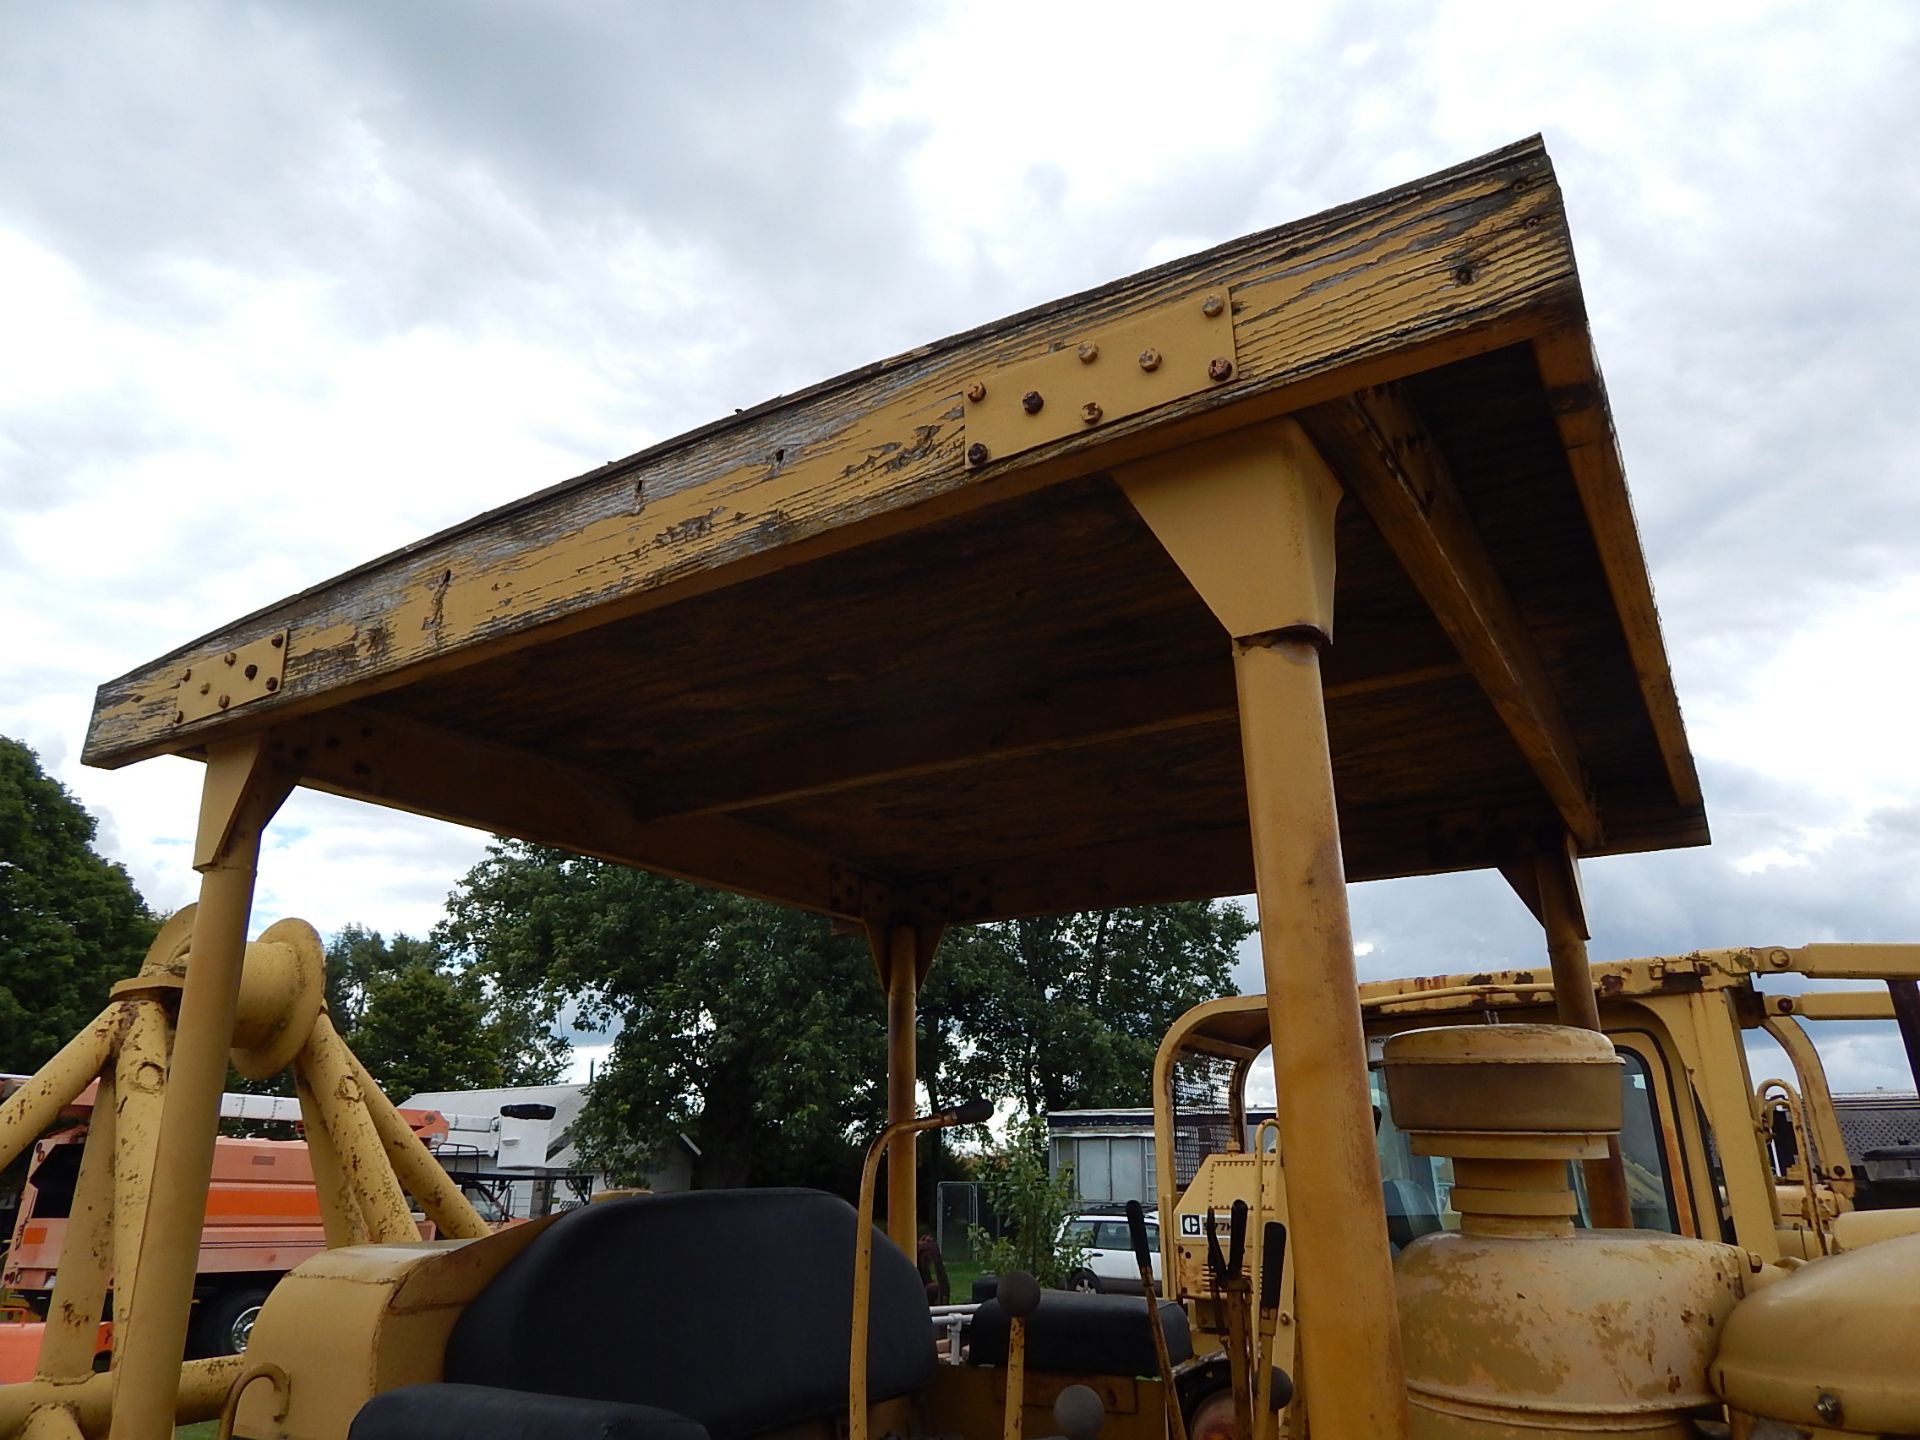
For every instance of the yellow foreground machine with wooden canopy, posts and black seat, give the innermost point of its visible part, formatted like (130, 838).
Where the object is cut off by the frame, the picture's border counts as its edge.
(1032, 619)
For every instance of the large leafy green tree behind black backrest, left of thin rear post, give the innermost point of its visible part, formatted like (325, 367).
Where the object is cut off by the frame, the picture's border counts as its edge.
(752, 1030)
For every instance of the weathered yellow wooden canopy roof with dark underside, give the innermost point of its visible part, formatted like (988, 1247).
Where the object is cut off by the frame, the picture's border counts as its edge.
(878, 648)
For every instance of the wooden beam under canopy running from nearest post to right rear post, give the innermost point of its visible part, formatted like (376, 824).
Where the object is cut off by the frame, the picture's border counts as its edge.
(1391, 466)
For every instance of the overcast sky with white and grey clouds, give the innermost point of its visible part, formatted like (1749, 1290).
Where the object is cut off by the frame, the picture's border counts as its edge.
(285, 287)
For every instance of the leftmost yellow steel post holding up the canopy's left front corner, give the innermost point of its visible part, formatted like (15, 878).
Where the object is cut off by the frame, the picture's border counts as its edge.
(241, 794)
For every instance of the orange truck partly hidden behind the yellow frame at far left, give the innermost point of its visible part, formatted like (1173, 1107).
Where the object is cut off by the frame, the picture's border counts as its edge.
(264, 1218)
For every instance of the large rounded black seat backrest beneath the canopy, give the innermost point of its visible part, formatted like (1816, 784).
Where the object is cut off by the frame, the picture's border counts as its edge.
(727, 1307)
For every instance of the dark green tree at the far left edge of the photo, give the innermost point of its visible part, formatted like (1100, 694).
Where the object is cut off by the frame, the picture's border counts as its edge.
(70, 921)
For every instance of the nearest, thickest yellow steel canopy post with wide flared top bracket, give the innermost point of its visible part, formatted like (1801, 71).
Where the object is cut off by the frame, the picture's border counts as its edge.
(1251, 521)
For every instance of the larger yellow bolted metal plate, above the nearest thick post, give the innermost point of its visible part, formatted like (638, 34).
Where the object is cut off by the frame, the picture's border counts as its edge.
(1101, 377)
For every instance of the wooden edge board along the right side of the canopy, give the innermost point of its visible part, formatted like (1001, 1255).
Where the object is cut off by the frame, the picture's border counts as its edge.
(1585, 421)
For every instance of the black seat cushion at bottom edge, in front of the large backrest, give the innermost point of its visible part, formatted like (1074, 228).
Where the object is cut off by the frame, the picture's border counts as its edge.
(475, 1412)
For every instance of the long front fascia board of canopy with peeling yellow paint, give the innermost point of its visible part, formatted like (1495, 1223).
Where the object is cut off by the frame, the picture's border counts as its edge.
(1445, 268)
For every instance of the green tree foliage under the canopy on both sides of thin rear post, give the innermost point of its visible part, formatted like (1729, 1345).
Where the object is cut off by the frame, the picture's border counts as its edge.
(759, 1034)
